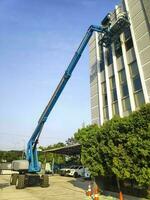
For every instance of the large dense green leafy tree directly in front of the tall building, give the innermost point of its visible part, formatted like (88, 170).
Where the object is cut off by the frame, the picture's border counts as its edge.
(120, 147)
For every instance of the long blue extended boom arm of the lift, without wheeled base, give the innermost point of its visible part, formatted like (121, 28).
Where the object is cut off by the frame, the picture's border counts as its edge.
(31, 154)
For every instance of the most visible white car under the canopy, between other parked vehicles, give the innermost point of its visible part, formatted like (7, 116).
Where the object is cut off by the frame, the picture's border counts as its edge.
(76, 171)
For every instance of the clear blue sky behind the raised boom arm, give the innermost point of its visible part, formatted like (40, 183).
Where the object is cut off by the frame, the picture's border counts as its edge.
(37, 41)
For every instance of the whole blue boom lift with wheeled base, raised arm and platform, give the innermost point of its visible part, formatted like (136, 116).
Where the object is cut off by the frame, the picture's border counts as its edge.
(28, 169)
